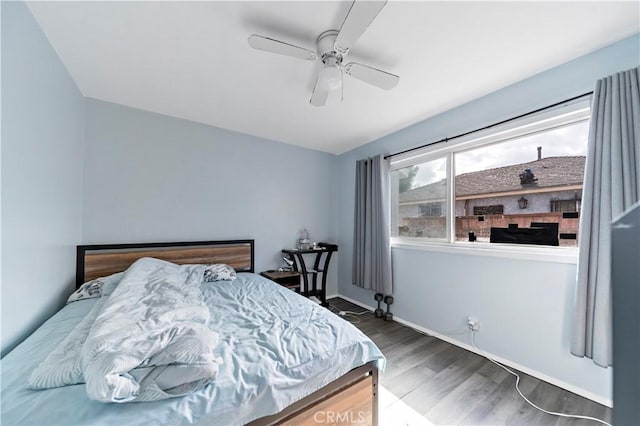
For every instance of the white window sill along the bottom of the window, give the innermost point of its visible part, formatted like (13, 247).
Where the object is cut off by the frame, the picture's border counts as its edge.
(567, 255)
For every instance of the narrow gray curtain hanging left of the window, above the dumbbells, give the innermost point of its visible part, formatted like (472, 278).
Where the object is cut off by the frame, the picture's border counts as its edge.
(371, 249)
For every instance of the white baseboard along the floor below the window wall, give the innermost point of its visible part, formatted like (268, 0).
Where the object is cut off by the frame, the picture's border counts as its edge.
(561, 384)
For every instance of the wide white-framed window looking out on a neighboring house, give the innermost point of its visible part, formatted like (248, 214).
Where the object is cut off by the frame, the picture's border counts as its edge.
(512, 184)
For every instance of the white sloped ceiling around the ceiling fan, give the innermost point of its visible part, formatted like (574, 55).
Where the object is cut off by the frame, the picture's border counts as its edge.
(191, 59)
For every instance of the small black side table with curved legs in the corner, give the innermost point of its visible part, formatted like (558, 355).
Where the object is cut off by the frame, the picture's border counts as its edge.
(300, 266)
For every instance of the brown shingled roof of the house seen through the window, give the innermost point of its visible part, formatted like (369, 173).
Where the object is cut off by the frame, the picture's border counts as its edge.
(550, 172)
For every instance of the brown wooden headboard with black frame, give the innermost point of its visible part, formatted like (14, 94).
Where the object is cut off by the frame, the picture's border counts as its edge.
(99, 260)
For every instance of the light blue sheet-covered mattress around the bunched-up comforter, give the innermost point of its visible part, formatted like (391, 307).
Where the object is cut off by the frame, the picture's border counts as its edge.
(276, 346)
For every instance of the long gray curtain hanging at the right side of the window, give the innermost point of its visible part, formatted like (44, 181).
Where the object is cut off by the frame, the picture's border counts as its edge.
(612, 185)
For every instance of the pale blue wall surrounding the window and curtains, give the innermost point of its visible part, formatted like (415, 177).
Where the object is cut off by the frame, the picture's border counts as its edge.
(523, 305)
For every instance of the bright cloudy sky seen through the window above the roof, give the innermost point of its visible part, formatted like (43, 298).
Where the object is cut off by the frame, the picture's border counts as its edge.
(564, 141)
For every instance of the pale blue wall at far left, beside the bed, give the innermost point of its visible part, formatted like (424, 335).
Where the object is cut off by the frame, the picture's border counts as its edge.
(42, 150)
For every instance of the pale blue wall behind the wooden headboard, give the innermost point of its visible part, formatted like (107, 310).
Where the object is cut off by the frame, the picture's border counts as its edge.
(149, 177)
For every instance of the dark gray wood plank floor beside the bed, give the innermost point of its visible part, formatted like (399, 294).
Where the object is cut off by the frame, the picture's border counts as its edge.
(430, 381)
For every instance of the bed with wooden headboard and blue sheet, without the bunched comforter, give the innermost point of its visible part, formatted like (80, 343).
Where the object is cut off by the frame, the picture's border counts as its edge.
(337, 384)
